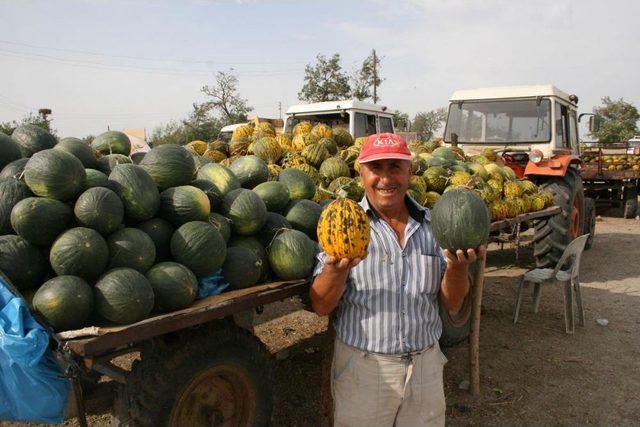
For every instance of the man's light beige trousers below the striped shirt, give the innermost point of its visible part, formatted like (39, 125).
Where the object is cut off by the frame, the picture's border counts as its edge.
(378, 390)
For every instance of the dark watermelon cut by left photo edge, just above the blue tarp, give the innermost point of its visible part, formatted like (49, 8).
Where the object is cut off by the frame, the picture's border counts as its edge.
(21, 262)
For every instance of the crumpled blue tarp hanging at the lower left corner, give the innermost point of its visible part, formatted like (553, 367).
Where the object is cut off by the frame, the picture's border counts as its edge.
(32, 386)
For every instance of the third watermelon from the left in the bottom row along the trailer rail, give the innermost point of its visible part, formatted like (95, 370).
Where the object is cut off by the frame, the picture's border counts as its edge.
(174, 286)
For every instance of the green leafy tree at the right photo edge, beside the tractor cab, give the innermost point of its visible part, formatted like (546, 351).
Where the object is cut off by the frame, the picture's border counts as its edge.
(619, 120)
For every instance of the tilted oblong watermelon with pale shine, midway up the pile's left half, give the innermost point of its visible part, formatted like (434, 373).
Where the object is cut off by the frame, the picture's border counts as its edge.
(137, 190)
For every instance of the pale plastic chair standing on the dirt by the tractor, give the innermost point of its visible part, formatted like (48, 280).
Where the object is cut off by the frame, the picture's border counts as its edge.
(567, 276)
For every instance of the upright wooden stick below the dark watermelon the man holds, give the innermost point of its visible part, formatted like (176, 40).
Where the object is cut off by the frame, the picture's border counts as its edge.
(474, 336)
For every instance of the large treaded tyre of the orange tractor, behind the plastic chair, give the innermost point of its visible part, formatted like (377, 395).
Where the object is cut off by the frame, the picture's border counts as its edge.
(552, 235)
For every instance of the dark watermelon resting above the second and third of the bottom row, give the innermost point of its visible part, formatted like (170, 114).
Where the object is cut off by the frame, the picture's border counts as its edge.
(131, 248)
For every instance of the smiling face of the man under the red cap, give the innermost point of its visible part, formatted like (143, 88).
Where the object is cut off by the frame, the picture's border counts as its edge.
(386, 182)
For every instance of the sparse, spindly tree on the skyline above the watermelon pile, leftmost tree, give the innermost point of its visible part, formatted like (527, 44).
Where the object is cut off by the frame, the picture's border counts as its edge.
(225, 99)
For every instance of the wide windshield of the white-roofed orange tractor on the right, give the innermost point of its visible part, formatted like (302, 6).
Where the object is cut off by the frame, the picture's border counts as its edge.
(491, 122)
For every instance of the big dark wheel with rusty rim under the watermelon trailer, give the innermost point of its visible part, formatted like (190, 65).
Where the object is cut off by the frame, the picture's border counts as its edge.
(207, 378)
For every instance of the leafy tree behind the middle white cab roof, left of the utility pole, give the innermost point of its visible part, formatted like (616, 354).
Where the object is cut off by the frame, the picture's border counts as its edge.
(325, 81)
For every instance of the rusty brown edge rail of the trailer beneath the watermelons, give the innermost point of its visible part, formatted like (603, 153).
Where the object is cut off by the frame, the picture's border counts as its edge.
(212, 308)
